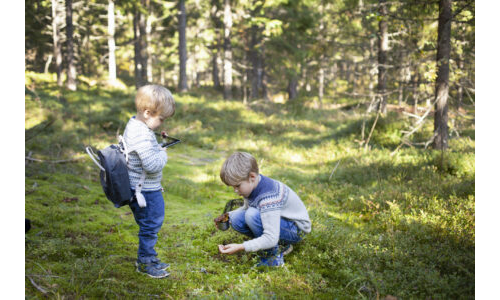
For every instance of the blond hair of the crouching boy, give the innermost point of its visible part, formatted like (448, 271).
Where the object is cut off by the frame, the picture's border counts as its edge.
(237, 168)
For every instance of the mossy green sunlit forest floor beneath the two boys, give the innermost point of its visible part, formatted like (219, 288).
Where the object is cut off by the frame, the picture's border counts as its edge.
(382, 225)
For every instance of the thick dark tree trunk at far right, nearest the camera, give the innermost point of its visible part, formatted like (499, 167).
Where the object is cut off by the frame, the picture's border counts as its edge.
(441, 92)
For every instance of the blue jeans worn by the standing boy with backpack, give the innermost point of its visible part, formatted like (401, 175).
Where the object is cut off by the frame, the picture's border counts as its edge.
(149, 219)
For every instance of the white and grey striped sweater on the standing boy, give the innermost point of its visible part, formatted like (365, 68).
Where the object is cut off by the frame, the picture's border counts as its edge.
(144, 154)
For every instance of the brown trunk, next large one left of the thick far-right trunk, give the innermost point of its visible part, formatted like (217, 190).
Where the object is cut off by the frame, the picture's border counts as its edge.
(383, 46)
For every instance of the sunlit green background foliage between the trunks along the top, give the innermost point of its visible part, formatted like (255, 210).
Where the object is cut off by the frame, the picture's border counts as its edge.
(285, 40)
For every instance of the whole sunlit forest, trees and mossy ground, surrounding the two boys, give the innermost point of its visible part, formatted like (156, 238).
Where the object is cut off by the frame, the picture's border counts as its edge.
(366, 108)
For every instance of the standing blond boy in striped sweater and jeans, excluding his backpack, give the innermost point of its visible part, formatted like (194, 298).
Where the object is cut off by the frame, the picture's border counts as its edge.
(146, 160)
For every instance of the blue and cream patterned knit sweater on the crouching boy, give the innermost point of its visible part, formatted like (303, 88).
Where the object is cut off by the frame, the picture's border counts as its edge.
(274, 200)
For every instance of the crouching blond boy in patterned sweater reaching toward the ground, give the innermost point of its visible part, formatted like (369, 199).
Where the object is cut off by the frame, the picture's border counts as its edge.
(272, 213)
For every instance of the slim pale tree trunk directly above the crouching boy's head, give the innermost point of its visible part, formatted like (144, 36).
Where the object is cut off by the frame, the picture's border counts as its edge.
(228, 68)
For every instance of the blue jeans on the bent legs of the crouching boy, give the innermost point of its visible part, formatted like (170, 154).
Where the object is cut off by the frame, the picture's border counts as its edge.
(249, 223)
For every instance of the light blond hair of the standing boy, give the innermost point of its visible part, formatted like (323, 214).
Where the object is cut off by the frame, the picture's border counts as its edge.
(156, 99)
